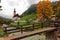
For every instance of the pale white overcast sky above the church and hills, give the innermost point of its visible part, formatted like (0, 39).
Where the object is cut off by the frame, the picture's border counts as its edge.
(20, 6)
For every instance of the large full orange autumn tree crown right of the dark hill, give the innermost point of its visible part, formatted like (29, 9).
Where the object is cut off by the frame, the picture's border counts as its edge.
(44, 9)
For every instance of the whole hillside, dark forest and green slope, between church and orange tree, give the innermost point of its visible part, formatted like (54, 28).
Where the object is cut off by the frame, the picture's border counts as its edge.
(30, 13)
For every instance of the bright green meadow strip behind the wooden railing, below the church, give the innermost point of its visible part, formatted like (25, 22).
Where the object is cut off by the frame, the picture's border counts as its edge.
(28, 24)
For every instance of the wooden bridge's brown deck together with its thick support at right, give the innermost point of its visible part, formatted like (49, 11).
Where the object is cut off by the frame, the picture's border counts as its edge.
(50, 33)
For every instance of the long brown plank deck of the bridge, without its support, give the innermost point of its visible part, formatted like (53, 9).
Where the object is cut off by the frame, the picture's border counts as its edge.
(28, 33)
